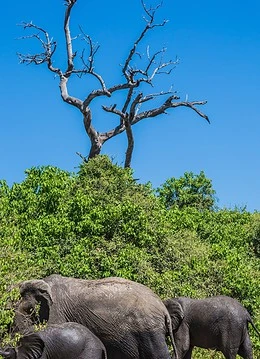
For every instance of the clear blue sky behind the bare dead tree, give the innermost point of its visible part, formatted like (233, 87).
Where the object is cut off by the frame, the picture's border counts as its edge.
(218, 46)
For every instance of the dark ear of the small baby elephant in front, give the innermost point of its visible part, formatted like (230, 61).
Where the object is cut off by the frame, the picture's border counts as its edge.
(30, 347)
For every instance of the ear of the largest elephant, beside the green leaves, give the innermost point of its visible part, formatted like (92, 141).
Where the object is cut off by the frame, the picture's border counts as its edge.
(42, 293)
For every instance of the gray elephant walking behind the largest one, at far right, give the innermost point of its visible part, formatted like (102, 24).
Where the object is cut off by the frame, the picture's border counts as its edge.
(219, 323)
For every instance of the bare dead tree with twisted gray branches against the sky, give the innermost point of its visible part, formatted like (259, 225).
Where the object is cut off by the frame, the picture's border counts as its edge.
(131, 88)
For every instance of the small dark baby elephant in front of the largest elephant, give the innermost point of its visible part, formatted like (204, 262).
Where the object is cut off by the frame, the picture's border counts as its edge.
(58, 341)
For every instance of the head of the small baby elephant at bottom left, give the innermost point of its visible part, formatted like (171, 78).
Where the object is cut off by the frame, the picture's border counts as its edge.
(30, 346)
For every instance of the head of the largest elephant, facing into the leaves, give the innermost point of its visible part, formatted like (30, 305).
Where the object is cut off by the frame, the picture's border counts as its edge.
(34, 305)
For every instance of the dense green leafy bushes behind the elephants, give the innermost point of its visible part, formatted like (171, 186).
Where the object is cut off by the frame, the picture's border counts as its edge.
(100, 222)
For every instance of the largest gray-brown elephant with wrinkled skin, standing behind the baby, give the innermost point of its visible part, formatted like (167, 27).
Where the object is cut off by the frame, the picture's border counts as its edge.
(128, 317)
